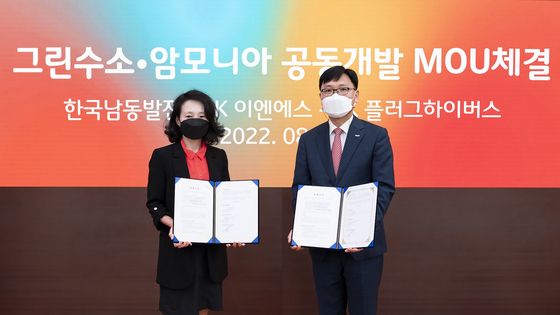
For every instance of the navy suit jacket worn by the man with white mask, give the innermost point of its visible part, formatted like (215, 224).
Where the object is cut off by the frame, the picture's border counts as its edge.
(367, 157)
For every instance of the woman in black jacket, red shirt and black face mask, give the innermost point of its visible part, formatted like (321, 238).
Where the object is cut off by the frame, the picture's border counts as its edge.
(190, 275)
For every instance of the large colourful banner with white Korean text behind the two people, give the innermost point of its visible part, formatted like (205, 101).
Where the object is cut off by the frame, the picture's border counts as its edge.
(468, 90)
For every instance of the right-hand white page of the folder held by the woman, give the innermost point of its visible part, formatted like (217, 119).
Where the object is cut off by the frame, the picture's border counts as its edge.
(237, 211)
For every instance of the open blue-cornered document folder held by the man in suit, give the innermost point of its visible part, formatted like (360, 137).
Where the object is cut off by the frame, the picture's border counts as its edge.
(333, 217)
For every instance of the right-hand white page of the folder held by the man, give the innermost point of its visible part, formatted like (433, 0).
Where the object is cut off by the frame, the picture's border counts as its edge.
(357, 226)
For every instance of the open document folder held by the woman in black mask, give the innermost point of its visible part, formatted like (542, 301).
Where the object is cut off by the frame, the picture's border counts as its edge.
(216, 212)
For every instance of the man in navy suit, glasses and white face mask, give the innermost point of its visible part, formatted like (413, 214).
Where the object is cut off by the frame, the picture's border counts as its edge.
(346, 151)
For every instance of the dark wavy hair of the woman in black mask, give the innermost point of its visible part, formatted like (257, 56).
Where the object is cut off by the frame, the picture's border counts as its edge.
(215, 131)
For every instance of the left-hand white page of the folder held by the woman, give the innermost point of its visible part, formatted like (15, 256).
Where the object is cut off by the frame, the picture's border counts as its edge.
(194, 210)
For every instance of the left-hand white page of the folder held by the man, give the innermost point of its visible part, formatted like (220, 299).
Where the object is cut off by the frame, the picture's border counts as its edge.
(316, 217)
